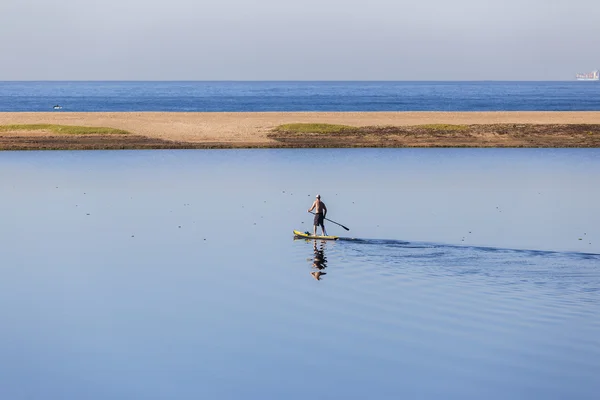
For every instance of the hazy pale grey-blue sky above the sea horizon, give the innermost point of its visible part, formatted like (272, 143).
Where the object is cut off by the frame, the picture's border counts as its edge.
(298, 40)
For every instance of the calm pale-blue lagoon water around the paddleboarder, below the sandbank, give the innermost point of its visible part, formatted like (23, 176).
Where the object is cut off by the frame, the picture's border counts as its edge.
(468, 274)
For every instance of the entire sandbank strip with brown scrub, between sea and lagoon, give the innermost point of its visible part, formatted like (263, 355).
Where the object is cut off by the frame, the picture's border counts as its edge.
(223, 130)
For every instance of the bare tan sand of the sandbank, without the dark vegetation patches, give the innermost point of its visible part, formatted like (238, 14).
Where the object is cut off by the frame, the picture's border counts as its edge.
(252, 129)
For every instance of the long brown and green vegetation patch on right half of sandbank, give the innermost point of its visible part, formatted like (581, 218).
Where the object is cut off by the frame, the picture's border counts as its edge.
(438, 135)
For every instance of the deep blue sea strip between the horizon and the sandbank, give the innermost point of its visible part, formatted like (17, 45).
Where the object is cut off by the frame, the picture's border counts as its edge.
(300, 96)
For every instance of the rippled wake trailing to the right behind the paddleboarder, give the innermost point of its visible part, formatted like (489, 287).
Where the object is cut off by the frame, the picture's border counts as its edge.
(548, 273)
